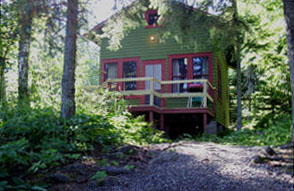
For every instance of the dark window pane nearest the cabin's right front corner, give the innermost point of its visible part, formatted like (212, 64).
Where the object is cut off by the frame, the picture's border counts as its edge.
(200, 68)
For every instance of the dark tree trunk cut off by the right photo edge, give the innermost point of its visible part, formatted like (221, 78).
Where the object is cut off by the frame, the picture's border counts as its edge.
(289, 17)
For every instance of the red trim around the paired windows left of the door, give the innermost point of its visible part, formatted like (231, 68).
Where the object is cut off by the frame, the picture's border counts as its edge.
(120, 62)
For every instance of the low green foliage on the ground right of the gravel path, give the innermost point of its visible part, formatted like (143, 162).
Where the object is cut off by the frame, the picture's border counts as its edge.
(274, 132)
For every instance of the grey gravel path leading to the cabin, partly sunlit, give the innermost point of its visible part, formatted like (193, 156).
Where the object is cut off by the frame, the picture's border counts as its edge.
(189, 166)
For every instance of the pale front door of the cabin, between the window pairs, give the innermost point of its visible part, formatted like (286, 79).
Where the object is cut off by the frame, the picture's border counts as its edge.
(153, 69)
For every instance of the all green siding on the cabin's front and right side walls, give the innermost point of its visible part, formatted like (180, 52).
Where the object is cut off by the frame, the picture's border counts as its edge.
(137, 44)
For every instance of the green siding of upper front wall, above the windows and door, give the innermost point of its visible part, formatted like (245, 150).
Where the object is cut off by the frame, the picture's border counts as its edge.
(137, 44)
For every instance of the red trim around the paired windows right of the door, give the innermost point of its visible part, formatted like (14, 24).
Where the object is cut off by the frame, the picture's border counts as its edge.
(190, 56)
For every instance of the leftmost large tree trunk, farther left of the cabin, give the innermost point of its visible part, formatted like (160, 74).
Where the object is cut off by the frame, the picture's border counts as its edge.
(26, 18)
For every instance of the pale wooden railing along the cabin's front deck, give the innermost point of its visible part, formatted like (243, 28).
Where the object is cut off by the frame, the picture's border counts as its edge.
(163, 89)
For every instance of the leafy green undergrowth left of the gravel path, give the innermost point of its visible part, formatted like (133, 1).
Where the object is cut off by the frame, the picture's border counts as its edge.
(38, 139)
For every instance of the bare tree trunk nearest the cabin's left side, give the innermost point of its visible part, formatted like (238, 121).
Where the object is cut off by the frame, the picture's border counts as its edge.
(68, 79)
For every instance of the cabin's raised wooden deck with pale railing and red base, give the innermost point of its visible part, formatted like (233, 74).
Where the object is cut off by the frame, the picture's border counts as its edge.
(151, 96)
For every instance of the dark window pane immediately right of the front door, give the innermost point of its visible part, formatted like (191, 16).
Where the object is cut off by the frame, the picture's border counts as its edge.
(179, 68)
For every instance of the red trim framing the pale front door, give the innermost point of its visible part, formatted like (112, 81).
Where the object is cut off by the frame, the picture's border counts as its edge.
(163, 75)
